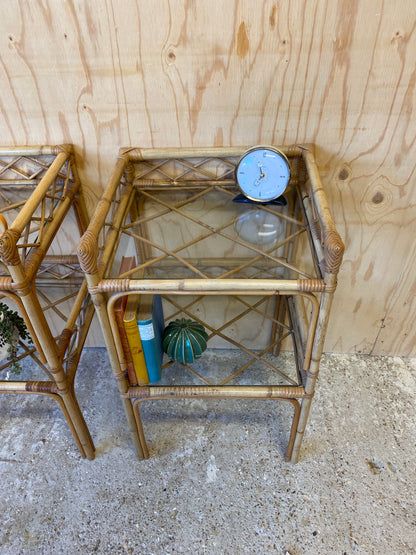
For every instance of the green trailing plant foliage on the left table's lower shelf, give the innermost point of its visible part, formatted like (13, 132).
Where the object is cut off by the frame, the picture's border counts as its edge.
(12, 326)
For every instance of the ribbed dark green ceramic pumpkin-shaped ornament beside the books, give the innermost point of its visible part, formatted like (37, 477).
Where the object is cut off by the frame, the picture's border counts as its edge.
(184, 340)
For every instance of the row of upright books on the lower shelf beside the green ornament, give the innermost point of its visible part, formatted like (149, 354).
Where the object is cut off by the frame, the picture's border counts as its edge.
(140, 324)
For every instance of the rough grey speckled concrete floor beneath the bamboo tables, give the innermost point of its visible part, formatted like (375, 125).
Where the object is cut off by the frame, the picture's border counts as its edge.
(217, 482)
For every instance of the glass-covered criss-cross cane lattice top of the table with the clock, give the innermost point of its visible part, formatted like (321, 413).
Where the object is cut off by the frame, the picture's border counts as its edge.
(173, 193)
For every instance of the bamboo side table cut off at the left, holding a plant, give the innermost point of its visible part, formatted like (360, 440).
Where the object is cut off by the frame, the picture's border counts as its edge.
(39, 186)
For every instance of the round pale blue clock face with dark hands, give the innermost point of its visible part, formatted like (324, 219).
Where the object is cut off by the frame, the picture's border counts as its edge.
(263, 173)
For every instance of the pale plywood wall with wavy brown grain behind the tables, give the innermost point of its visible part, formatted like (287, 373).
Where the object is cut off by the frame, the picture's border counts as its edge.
(340, 74)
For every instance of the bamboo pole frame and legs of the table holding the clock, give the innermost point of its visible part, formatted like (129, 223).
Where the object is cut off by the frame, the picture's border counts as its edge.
(99, 244)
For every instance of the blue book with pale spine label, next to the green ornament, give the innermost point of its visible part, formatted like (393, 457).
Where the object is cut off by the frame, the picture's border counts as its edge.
(151, 325)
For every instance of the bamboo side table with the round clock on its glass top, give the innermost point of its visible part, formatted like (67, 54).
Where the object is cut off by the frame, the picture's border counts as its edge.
(174, 209)
